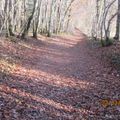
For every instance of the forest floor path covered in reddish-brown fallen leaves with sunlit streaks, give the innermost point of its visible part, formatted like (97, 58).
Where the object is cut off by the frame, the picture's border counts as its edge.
(56, 79)
